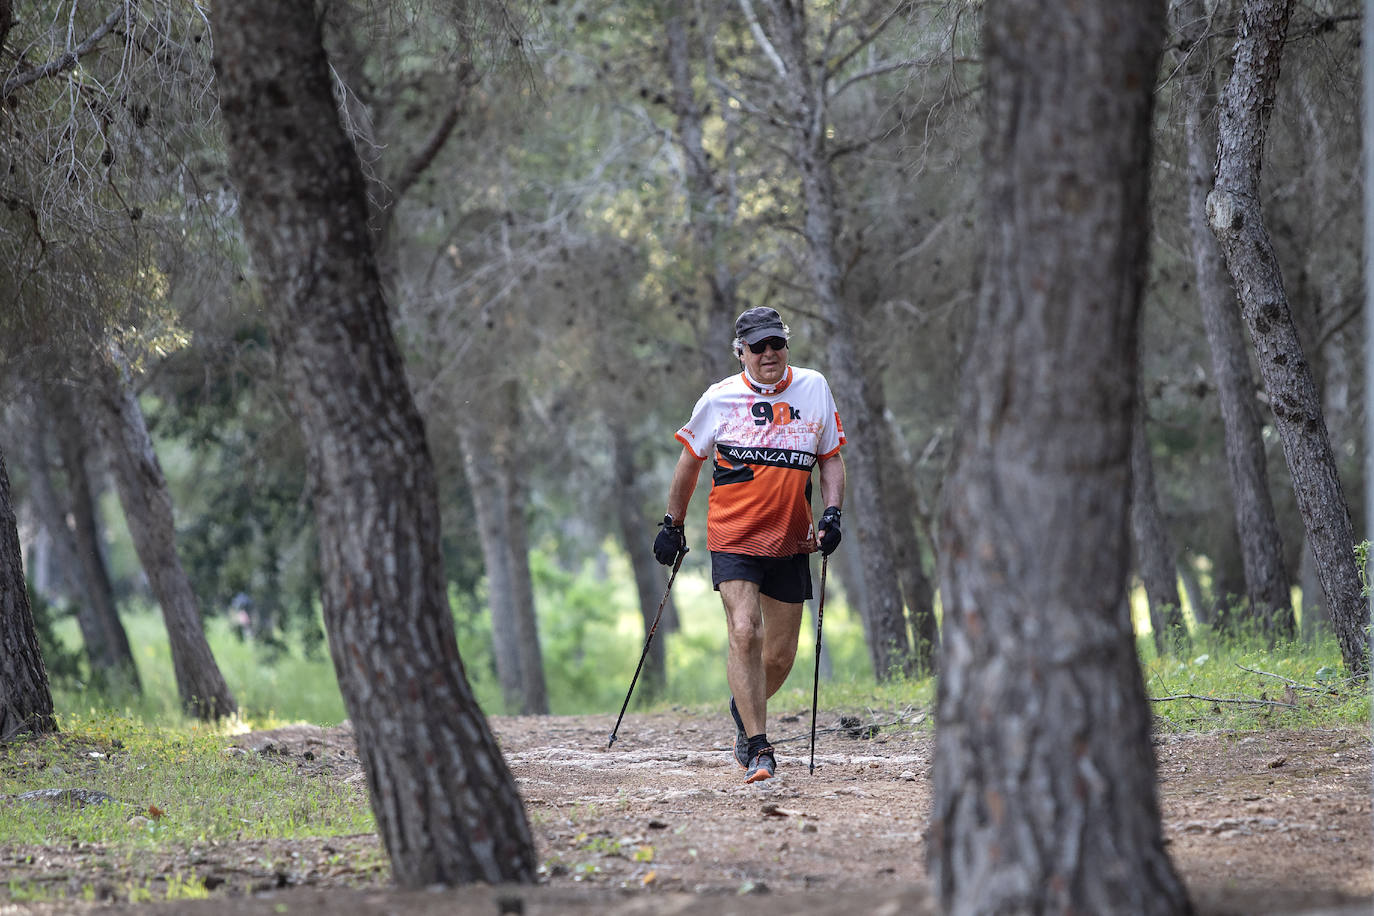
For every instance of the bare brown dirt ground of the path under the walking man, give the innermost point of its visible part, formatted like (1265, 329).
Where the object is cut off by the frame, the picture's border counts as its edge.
(1257, 822)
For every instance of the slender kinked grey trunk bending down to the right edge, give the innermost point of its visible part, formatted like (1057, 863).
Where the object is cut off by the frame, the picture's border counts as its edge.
(1239, 222)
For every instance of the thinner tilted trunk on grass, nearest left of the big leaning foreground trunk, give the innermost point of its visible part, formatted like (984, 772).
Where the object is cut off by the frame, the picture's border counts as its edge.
(148, 509)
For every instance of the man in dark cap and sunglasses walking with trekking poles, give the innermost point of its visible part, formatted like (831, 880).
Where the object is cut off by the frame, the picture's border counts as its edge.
(767, 426)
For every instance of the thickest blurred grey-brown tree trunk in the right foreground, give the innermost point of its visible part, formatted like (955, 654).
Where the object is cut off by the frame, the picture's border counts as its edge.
(1045, 774)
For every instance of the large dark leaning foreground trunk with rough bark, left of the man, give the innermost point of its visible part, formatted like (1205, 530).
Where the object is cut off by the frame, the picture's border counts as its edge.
(446, 804)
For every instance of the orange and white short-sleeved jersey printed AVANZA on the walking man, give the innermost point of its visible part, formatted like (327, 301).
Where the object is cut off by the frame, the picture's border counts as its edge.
(765, 446)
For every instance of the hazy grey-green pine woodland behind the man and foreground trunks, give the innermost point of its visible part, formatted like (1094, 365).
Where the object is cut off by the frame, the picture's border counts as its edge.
(634, 176)
